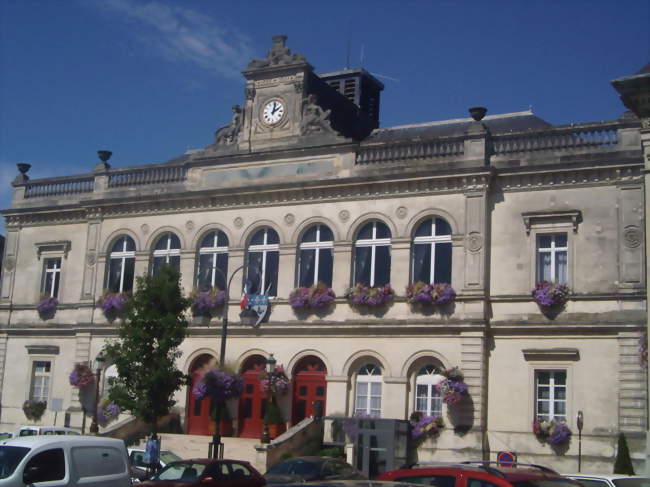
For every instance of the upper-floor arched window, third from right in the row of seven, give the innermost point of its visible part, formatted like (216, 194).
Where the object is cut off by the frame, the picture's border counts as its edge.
(315, 259)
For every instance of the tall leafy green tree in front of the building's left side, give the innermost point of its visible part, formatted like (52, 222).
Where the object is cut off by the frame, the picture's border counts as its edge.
(147, 348)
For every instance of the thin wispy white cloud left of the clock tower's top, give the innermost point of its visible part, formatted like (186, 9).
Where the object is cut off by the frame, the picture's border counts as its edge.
(183, 35)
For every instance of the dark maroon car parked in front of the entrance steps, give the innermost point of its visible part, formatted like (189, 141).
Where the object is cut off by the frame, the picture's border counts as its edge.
(206, 472)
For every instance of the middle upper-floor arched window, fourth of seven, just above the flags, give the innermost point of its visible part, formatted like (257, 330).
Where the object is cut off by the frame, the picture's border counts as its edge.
(263, 257)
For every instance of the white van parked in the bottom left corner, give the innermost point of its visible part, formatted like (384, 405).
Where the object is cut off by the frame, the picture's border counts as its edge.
(60, 461)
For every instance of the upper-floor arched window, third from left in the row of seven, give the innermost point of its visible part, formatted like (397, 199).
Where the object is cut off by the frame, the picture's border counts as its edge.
(213, 261)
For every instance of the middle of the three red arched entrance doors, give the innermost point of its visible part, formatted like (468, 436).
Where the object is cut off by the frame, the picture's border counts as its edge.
(252, 401)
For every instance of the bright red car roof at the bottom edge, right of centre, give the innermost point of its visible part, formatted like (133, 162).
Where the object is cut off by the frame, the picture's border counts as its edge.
(476, 474)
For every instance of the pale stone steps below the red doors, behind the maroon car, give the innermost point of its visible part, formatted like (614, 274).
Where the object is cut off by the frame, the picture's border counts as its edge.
(196, 446)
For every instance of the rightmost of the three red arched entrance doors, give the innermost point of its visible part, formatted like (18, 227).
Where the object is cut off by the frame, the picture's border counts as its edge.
(309, 387)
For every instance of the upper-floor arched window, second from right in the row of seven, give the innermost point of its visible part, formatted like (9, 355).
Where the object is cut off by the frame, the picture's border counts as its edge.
(372, 255)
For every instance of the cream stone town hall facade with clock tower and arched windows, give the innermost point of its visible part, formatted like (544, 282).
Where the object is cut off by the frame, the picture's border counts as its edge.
(303, 186)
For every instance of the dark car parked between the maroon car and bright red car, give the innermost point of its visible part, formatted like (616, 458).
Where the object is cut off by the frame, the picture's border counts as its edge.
(304, 469)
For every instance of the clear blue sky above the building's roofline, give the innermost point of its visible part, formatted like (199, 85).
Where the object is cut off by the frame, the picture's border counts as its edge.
(151, 79)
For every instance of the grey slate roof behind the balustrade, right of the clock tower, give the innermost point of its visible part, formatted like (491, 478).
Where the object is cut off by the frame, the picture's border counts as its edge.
(502, 123)
